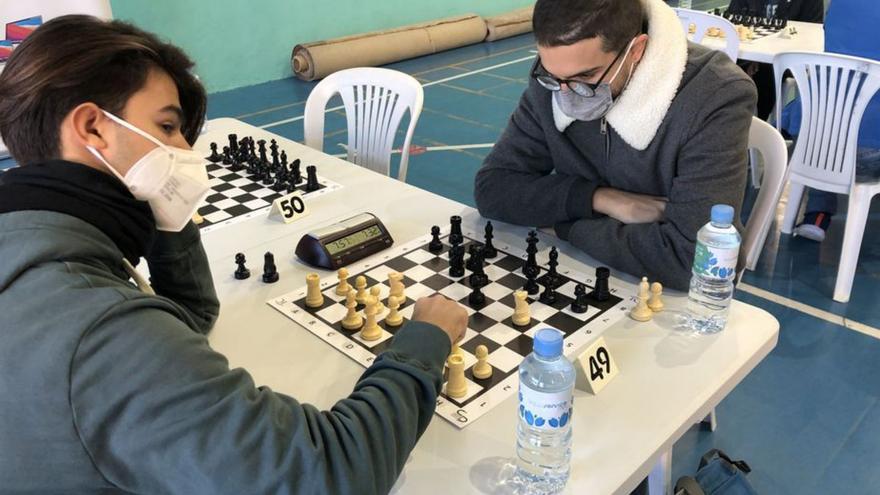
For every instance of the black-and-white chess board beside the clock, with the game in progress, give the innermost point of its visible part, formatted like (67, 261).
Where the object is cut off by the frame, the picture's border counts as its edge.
(426, 273)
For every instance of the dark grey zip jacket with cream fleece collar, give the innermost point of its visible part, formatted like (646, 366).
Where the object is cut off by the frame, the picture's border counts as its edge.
(679, 130)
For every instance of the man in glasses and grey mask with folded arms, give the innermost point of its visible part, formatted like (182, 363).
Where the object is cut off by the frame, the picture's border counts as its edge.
(624, 139)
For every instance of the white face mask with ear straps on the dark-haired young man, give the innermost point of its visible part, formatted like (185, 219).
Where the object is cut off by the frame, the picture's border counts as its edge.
(174, 181)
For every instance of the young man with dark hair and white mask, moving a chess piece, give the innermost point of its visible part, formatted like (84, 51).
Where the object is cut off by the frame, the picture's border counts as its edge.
(110, 386)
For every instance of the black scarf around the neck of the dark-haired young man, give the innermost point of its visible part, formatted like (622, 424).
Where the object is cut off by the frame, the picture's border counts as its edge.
(80, 191)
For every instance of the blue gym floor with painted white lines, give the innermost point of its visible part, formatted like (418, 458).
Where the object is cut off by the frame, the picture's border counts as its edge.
(807, 419)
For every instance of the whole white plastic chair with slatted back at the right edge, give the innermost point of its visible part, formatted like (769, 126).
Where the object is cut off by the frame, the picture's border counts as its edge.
(835, 90)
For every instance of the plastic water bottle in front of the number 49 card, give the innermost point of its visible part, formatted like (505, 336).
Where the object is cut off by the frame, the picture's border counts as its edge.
(543, 444)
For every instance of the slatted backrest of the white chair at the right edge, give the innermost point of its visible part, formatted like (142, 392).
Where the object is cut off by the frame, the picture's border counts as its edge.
(834, 92)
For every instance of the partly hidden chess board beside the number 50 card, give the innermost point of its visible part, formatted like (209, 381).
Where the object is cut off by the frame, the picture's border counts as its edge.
(237, 196)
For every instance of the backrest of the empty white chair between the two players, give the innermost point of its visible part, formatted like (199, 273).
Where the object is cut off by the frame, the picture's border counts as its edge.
(375, 101)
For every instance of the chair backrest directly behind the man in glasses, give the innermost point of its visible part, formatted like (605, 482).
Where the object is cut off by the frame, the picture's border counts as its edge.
(771, 145)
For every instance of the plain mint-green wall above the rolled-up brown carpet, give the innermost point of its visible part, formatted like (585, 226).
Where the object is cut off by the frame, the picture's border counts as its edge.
(238, 43)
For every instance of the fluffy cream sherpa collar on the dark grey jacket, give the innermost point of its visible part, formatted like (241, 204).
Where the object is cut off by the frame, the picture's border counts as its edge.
(639, 110)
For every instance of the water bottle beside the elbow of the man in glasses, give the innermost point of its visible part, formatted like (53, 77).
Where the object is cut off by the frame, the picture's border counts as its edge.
(713, 272)
